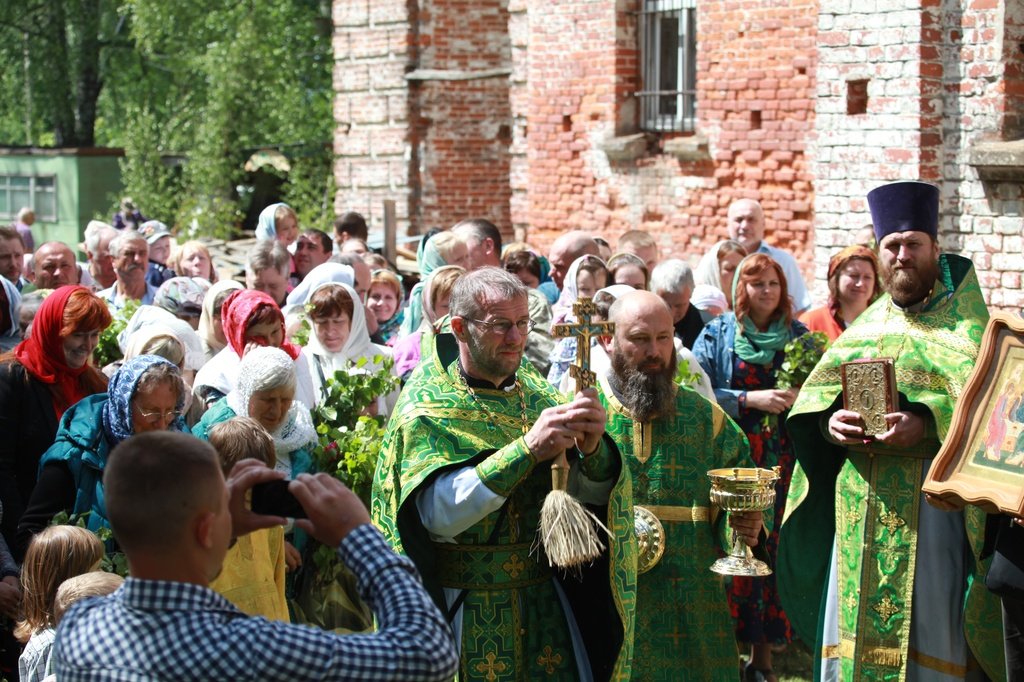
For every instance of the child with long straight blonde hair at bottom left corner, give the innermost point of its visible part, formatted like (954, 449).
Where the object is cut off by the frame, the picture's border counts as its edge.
(56, 555)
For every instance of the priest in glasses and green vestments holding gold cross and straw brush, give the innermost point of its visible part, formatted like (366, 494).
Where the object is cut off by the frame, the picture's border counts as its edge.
(460, 485)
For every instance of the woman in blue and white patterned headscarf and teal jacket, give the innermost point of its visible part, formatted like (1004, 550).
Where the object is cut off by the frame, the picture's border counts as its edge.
(146, 395)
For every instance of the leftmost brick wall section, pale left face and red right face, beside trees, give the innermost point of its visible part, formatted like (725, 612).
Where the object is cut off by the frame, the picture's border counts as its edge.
(423, 110)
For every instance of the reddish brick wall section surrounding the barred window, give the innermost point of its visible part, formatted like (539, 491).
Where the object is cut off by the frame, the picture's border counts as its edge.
(583, 70)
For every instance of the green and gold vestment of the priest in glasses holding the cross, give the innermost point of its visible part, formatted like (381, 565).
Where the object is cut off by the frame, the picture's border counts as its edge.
(514, 626)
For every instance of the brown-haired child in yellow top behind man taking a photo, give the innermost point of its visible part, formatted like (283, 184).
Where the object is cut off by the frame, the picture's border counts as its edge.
(253, 575)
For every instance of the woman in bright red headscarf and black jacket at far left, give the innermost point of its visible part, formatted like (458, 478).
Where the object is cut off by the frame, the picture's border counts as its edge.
(47, 374)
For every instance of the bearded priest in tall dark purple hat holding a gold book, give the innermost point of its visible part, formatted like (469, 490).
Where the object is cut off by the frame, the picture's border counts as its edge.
(886, 585)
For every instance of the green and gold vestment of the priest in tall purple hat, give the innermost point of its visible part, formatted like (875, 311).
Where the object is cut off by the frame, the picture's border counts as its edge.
(868, 499)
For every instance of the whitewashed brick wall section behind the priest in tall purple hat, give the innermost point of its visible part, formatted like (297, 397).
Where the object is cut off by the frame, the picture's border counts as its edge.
(941, 79)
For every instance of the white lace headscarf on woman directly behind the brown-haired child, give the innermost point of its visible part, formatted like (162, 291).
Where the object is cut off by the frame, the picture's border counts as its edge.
(264, 369)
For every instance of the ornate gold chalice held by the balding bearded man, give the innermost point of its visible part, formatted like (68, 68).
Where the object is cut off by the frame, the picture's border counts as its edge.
(742, 490)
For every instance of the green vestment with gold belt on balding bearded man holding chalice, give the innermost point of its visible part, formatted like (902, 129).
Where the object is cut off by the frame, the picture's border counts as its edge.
(684, 627)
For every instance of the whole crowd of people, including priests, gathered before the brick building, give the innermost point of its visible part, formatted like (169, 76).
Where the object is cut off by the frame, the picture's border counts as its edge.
(155, 456)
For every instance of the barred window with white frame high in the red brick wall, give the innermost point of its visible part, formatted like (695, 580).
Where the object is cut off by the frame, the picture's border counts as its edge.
(668, 62)
